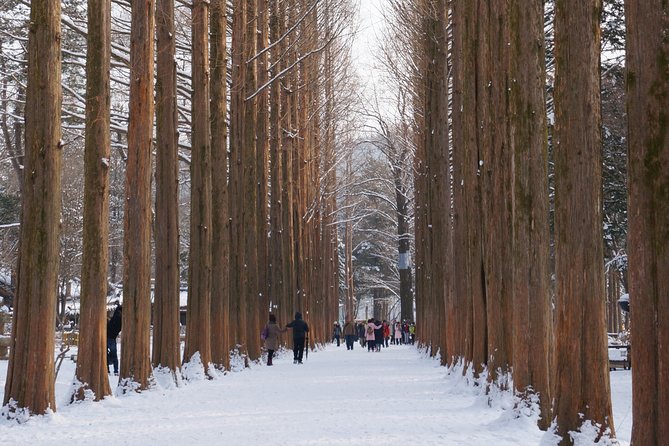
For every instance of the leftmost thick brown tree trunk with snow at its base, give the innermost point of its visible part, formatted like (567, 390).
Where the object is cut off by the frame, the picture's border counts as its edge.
(30, 374)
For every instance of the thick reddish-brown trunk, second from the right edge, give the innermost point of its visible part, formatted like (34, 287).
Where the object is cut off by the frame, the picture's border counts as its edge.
(582, 389)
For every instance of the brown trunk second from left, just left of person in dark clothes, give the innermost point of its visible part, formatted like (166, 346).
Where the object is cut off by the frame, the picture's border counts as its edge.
(91, 370)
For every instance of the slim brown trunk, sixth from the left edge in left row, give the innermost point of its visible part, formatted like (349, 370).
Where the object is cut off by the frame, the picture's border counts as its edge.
(220, 303)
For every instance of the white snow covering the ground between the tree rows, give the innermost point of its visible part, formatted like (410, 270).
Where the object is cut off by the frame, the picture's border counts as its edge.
(337, 397)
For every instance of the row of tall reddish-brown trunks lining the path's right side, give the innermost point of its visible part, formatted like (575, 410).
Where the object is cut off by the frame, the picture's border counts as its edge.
(482, 219)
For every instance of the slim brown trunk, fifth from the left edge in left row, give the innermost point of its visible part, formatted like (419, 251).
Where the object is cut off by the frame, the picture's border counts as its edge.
(198, 325)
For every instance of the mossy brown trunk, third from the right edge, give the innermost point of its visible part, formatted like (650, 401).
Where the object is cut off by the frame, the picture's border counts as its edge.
(532, 322)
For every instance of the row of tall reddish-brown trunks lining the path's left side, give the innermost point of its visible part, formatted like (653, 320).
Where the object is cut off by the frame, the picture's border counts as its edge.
(263, 236)
